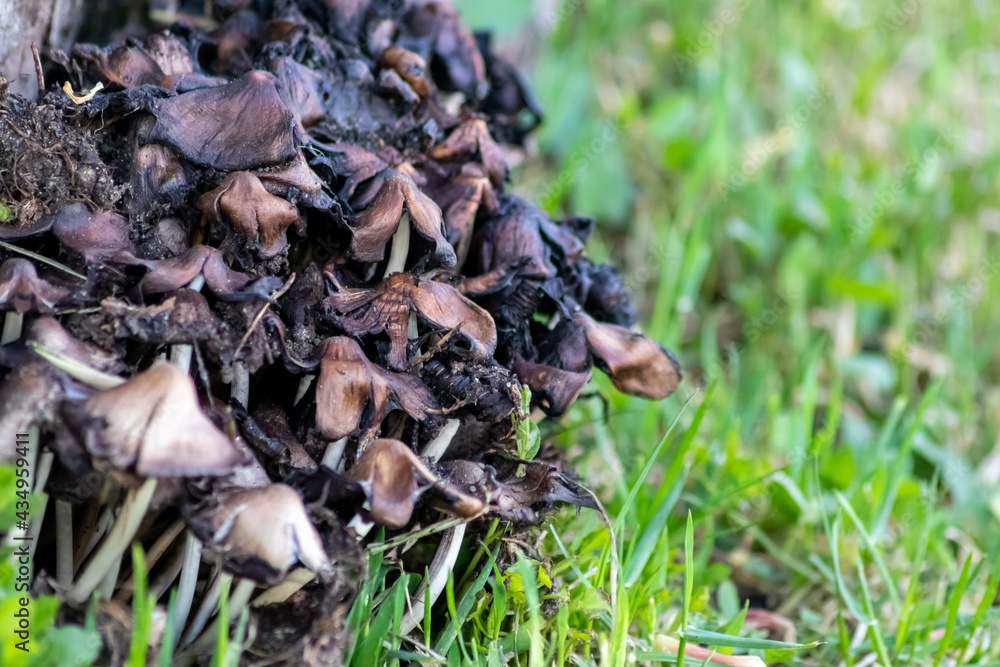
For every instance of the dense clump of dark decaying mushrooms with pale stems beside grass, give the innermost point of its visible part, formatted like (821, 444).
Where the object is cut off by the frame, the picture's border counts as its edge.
(266, 289)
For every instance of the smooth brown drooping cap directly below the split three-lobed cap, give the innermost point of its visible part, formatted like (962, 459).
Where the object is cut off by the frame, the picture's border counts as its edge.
(352, 393)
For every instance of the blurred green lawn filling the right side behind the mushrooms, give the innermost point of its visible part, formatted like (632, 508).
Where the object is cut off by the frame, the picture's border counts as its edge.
(803, 199)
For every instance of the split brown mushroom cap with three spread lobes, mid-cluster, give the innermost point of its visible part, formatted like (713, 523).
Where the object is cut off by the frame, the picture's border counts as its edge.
(386, 308)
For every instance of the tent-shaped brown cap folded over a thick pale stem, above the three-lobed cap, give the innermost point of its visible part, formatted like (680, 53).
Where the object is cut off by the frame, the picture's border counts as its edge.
(376, 225)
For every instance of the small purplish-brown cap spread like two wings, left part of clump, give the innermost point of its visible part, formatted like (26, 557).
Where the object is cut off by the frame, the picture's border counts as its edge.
(169, 274)
